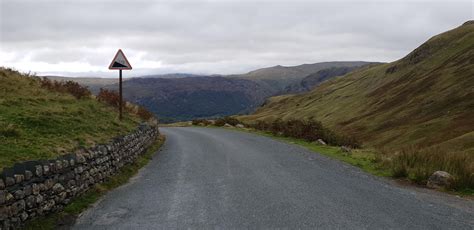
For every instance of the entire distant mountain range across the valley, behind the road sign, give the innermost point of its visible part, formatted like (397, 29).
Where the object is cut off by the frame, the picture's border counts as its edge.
(175, 97)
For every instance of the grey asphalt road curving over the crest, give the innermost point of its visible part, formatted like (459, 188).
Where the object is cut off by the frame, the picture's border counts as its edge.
(214, 178)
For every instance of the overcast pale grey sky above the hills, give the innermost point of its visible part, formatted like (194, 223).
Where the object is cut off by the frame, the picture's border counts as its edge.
(80, 38)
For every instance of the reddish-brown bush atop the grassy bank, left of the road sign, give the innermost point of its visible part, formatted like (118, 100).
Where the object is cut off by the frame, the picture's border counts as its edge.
(71, 87)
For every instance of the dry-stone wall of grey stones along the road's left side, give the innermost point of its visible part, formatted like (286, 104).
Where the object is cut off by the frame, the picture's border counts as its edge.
(35, 188)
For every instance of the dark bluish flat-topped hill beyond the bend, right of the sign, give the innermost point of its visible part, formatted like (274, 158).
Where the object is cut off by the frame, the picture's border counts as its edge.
(195, 97)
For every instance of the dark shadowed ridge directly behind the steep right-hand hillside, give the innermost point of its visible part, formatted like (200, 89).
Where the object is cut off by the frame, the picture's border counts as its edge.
(313, 80)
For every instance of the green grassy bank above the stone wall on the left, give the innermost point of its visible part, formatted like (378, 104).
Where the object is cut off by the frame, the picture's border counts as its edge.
(36, 123)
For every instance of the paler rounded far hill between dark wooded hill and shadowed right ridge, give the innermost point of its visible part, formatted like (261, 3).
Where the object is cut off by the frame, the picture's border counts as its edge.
(279, 77)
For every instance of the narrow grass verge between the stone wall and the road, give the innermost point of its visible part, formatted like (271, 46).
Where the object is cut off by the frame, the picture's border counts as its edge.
(68, 216)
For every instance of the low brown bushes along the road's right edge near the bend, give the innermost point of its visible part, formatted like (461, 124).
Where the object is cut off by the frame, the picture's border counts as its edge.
(309, 130)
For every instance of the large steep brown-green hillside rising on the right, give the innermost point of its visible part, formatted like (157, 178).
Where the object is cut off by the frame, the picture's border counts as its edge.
(426, 98)
